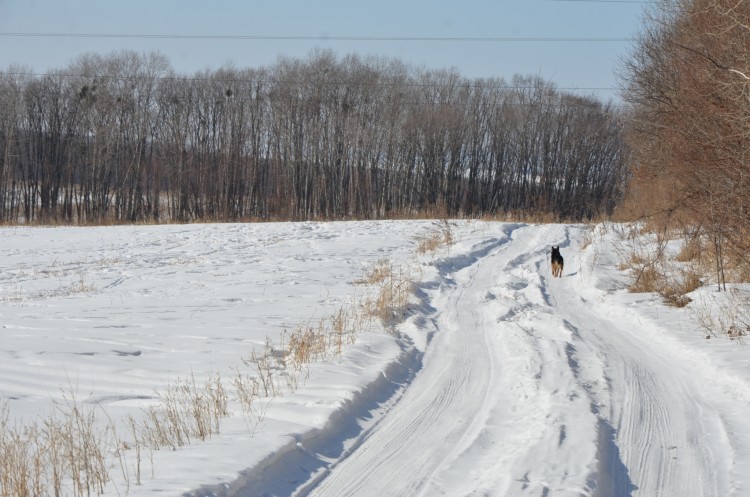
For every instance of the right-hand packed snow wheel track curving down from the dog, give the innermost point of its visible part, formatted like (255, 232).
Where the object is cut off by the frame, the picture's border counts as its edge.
(665, 431)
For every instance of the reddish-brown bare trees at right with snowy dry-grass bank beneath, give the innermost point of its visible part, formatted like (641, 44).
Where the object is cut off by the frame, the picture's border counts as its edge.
(687, 83)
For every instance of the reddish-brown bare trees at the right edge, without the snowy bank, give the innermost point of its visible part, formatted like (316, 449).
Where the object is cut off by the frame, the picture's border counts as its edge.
(688, 82)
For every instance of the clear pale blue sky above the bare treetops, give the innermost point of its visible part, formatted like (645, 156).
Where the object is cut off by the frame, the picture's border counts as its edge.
(417, 32)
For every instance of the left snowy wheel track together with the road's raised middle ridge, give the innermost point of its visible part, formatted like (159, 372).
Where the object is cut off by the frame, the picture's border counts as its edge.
(487, 403)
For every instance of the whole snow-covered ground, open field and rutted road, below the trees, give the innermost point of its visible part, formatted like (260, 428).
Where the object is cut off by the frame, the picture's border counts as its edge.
(355, 359)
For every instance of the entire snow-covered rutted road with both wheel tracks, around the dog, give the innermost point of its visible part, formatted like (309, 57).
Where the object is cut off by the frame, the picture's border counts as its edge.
(527, 387)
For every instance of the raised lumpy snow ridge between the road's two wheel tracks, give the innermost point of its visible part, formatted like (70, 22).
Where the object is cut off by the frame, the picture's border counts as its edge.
(542, 428)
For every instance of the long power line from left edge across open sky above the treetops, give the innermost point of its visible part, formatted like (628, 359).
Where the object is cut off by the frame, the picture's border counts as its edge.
(469, 39)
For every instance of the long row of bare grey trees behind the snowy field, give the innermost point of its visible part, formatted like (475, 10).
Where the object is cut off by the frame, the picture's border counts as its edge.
(123, 138)
